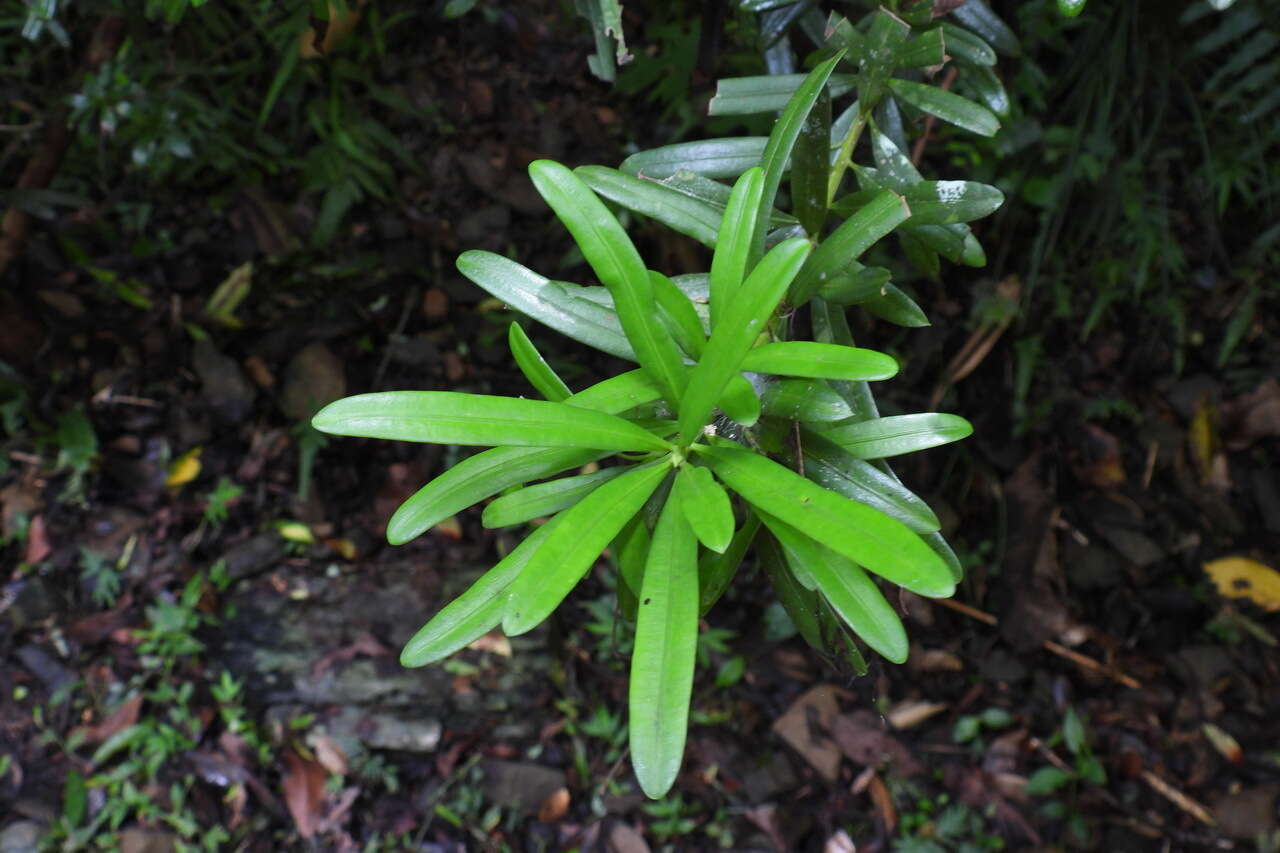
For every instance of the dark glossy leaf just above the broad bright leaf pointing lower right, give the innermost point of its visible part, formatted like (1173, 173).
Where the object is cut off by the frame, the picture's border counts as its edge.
(834, 468)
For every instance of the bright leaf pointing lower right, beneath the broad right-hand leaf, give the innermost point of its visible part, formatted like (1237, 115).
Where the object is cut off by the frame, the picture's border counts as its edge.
(852, 594)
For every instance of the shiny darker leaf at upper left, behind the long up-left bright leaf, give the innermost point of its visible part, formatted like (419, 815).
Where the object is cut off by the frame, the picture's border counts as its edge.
(559, 305)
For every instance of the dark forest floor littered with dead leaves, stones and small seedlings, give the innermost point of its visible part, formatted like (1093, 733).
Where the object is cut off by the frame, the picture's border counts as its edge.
(202, 619)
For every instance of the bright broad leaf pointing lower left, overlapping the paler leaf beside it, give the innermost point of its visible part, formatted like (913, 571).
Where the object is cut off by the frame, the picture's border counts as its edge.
(573, 548)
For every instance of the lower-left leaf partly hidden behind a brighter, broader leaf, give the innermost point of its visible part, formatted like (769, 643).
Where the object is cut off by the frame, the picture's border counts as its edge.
(477, 612)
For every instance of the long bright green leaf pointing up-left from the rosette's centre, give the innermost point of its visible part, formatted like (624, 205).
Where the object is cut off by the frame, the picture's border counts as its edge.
(618, 264)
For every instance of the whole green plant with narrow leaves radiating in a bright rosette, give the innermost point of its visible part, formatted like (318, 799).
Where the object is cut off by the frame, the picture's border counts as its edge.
(730, 437)
